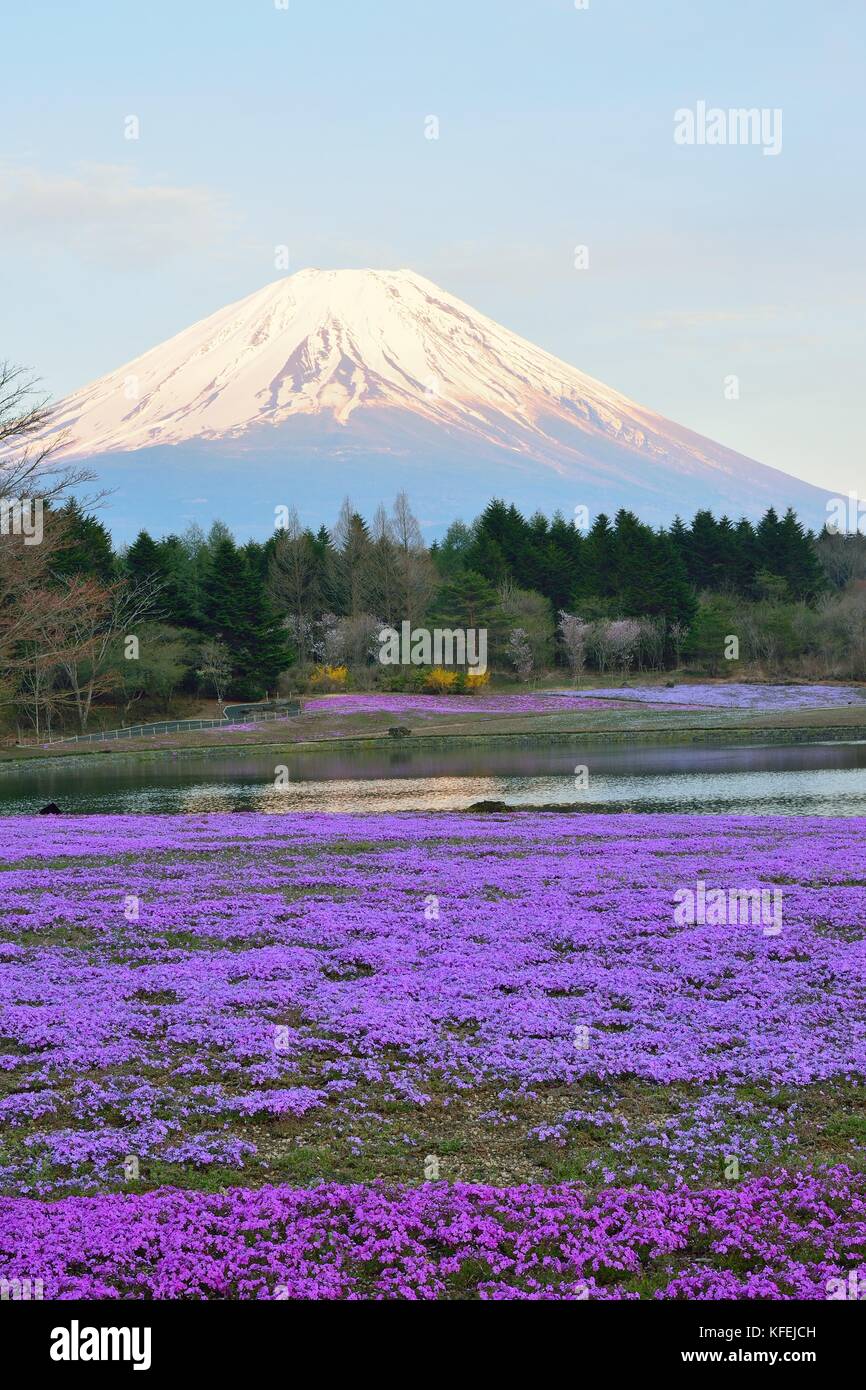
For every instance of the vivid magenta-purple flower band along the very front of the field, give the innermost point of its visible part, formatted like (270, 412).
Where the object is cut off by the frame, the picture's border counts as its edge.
(776, 1238)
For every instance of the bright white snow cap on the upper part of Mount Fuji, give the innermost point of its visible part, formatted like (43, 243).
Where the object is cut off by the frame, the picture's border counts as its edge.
(338, 341)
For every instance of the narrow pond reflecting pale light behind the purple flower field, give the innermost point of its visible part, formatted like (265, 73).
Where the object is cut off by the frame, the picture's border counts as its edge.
(817, 779)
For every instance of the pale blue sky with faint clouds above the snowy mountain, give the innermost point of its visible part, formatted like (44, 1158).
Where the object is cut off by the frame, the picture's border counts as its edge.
(305, 127)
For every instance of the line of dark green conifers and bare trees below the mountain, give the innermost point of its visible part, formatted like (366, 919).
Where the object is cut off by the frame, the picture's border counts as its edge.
(265, 601)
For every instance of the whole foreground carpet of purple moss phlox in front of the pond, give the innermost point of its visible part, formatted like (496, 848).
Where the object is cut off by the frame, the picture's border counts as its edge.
(268, 1004)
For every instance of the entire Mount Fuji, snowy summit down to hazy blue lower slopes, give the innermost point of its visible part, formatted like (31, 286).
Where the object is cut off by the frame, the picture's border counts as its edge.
(362, 383)
